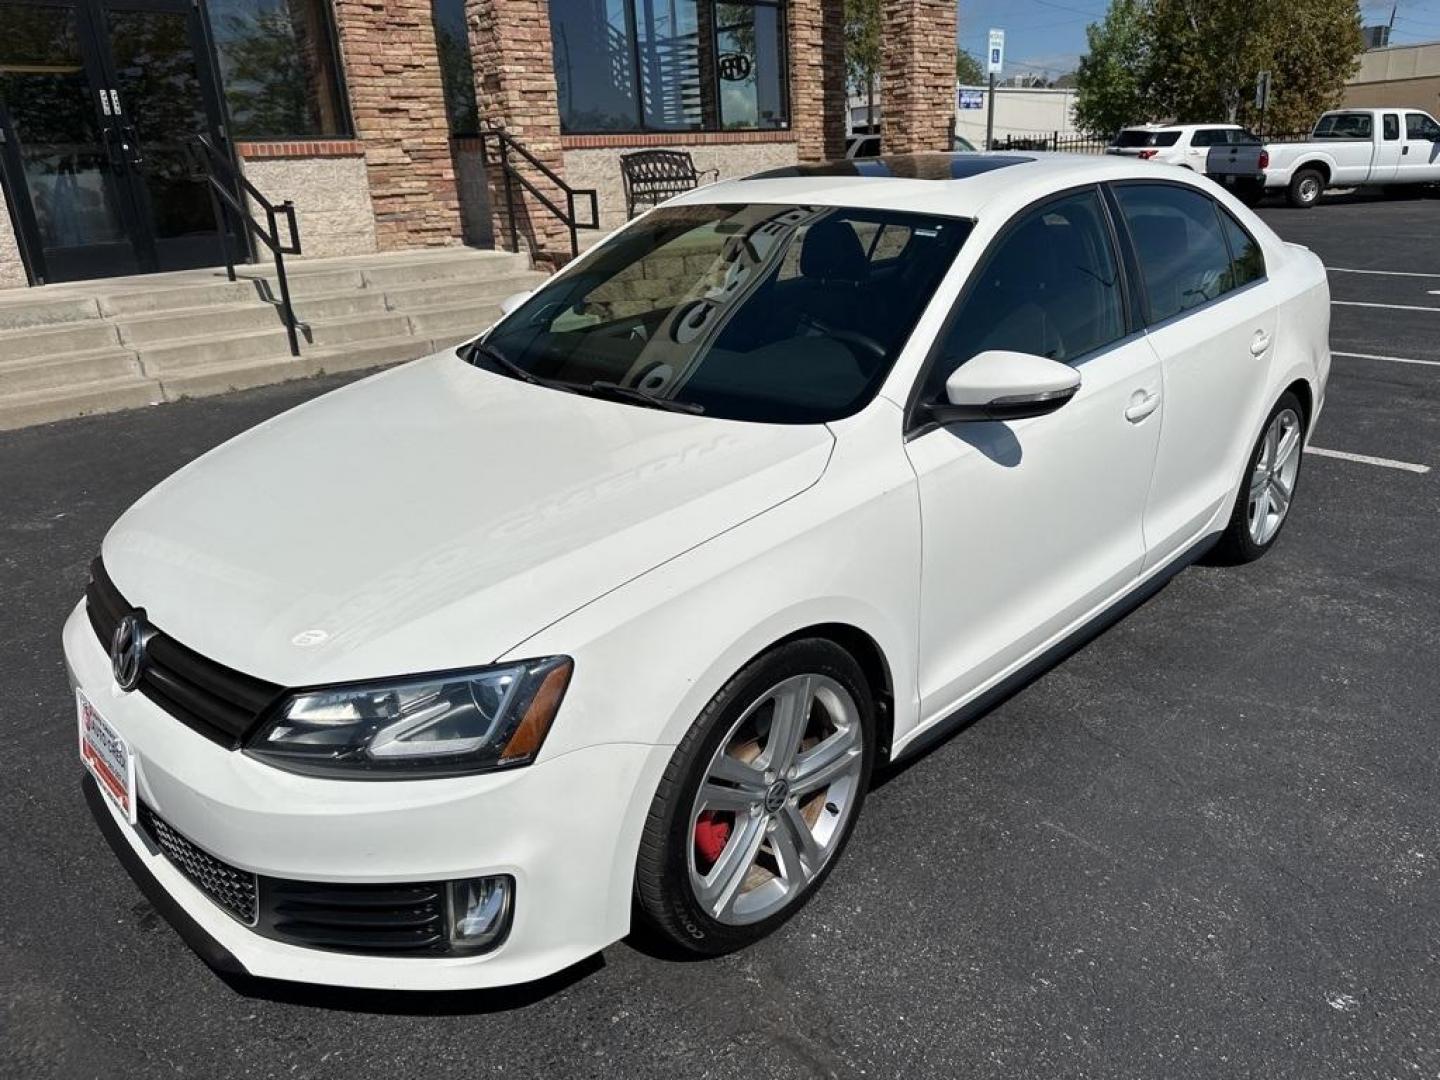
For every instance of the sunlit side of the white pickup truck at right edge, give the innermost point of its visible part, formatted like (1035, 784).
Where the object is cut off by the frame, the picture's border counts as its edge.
(1357, 149)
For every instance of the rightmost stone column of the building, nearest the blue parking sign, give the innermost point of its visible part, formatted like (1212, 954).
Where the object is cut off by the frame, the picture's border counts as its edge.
(918, 76)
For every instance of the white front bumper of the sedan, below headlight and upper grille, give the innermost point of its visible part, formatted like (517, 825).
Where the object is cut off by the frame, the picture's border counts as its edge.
(567, 830)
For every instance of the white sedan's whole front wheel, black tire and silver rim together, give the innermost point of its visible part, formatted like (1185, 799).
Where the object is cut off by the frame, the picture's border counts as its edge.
(722, 869)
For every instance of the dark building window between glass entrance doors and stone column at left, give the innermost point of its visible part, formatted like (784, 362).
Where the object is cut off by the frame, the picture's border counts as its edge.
(279, 68)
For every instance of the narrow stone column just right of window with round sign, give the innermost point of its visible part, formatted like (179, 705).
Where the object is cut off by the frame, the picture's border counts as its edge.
(817, 54)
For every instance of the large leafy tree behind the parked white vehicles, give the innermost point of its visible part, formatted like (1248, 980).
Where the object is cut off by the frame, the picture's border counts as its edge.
(1197, 61)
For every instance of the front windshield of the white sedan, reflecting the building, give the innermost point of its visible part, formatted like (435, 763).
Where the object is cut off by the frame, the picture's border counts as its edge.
(786, 315)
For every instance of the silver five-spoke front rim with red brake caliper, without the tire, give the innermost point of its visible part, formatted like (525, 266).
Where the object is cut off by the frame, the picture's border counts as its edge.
(780, 790)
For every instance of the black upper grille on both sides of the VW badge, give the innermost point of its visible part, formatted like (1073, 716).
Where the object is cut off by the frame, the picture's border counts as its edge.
(215, 701)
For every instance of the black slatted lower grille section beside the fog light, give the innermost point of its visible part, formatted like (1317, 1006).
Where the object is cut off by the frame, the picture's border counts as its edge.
(374, 919)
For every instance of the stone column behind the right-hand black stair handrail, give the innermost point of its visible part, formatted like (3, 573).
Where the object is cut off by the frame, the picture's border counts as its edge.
(516, 91)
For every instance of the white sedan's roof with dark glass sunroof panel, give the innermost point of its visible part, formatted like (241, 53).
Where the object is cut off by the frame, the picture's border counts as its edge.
(957, 185)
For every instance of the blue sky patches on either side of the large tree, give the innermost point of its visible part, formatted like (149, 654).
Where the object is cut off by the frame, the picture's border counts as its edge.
(1048, 37)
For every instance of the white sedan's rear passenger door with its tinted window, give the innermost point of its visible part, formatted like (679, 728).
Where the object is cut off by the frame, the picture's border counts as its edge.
(1212, 323)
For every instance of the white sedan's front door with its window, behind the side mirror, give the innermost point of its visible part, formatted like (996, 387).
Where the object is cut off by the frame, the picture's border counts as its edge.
(1029, 525)
